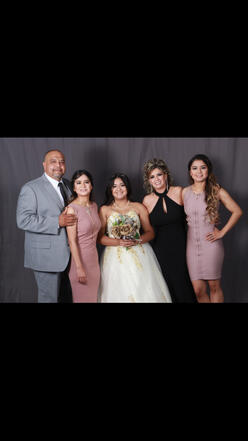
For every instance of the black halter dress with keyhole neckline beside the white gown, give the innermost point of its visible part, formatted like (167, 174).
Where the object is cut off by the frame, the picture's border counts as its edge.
(169, 246)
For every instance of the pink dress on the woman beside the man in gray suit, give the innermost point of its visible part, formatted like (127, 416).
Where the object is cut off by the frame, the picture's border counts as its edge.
(88, 226)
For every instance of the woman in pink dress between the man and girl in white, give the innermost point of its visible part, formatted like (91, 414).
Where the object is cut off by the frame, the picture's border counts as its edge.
(85, 271)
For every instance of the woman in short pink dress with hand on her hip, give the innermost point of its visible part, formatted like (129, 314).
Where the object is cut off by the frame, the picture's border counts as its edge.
(205, 251)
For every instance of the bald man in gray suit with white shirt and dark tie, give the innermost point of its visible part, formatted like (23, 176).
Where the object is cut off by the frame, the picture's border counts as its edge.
(41, 213)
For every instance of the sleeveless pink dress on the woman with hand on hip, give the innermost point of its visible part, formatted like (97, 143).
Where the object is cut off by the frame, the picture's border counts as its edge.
(204, 259)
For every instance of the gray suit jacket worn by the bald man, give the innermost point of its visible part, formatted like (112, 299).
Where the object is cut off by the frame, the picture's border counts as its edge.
(38, 211)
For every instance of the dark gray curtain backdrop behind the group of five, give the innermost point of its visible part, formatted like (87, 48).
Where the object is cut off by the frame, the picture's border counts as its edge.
(21, 161)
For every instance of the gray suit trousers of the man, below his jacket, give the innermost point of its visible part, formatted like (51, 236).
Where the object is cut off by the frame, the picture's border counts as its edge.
(48, 286)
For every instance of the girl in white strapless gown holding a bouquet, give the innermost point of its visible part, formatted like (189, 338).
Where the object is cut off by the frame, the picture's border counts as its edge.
(130, 272)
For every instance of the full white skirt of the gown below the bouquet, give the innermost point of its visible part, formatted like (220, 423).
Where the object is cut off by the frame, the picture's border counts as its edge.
(132, 275)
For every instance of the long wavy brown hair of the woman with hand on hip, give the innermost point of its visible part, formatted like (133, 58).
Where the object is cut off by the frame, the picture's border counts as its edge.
(212, 189)
